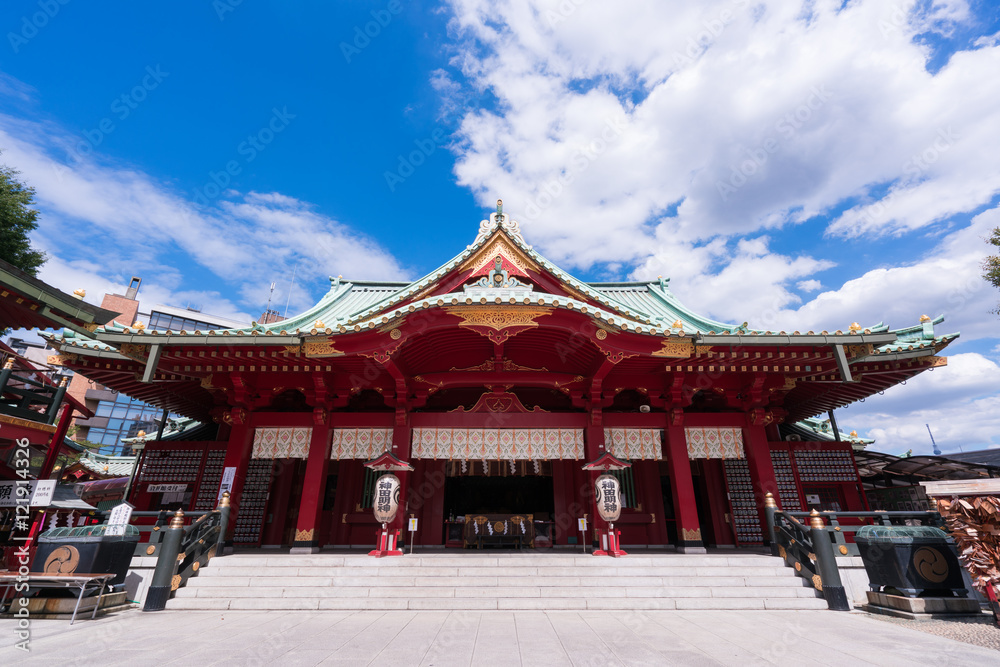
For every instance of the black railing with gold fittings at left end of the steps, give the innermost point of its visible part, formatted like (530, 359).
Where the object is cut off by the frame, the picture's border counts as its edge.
(181, 550)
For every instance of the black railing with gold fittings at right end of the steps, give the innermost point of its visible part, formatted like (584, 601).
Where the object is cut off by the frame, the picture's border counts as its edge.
(806, 543)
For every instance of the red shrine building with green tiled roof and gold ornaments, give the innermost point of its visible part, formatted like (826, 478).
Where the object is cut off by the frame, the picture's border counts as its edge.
(497, 377)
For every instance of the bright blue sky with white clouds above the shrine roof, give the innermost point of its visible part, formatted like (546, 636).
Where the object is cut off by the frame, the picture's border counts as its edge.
(797, 166)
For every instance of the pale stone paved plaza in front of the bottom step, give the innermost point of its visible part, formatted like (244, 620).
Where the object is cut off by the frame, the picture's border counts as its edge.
(487, 638)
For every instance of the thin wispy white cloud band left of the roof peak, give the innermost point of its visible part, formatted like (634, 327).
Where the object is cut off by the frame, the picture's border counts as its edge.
(124, 221)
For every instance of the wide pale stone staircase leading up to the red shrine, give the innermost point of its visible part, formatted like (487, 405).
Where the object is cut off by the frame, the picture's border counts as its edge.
(497, 580)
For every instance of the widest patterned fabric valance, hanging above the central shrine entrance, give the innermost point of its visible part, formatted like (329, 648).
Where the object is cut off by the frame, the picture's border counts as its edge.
(502, 444)
